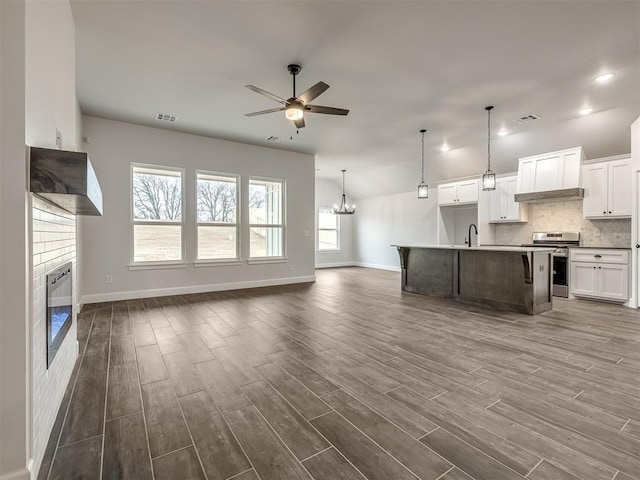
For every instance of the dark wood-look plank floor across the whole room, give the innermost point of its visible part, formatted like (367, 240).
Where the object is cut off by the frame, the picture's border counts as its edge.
(348, 378)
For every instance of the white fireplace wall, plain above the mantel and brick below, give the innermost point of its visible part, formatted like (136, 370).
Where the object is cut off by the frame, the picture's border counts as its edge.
(50, 105)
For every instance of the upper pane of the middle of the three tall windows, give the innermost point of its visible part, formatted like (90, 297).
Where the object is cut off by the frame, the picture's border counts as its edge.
(217, 197)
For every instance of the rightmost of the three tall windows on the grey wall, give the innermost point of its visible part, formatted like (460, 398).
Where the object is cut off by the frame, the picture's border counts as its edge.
(266, 218)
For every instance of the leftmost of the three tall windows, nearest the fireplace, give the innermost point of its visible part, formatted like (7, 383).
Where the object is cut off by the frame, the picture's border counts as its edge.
(157, 213)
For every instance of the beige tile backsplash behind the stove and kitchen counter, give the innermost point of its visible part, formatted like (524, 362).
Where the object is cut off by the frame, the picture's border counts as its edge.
(566, 216)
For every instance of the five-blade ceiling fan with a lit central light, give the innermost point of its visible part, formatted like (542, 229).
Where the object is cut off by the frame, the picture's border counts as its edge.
(295, 106)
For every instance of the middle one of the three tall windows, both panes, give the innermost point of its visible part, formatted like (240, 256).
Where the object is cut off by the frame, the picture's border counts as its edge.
(217, 216)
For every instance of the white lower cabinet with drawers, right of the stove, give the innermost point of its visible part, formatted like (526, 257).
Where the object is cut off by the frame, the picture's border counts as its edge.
(592, 277)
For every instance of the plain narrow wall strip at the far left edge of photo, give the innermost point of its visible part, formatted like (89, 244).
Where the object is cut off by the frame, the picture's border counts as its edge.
(14, 327)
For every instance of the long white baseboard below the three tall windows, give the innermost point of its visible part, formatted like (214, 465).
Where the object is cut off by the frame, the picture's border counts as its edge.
(216, 287)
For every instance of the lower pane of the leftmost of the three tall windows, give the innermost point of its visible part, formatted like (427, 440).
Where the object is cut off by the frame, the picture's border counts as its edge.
(156, 243)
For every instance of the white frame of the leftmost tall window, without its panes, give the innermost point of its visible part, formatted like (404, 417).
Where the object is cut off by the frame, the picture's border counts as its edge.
(139, 265)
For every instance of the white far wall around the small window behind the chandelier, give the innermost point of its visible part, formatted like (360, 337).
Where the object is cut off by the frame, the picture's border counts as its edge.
(328, 193)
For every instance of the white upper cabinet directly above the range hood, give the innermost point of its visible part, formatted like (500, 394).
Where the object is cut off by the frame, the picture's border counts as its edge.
(550, 171)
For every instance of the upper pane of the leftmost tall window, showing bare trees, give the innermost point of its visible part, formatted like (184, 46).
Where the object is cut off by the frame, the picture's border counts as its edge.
(157, 194)
